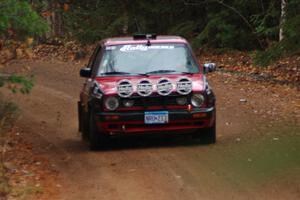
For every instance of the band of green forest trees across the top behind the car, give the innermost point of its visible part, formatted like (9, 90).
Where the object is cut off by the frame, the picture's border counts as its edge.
(235, 24)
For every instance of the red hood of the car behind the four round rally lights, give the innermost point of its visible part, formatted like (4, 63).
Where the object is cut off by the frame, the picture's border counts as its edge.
(108, 84)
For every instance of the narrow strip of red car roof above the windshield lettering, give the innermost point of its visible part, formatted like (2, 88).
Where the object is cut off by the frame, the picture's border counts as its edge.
(131, 40)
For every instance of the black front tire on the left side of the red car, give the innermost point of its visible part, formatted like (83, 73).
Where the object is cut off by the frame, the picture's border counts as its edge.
(96, 139)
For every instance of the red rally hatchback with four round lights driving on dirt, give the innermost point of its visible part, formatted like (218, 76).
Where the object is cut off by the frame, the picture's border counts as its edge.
(145, 84)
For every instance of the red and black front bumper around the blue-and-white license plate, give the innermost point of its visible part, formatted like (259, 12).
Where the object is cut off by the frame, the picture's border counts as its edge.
(133, 122)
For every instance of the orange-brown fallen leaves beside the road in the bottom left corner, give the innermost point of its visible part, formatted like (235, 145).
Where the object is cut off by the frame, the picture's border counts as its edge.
(30, 176)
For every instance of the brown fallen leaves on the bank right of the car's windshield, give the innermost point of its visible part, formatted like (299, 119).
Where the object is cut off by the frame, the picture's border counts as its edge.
(284, 71)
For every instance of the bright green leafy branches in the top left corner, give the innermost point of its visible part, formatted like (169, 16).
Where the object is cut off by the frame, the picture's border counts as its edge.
(18, 16)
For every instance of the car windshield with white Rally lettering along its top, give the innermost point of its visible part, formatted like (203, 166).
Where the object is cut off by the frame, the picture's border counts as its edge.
(163, 58)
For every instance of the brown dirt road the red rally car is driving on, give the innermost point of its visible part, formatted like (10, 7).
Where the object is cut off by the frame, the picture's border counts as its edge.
(257, 155)
